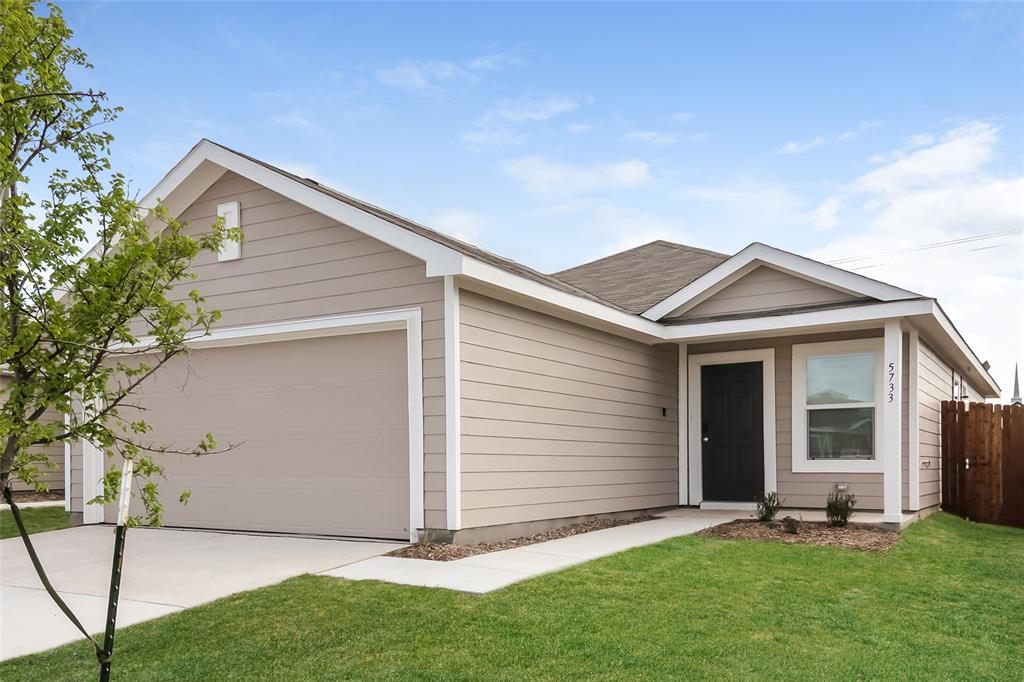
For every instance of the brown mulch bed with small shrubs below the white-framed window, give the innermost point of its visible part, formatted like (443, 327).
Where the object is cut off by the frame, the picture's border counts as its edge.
(856, 536)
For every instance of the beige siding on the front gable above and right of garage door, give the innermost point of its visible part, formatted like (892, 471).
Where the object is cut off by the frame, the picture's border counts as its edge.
(297, 264)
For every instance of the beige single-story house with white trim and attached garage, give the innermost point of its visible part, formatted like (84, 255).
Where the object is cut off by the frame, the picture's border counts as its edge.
(381, 379)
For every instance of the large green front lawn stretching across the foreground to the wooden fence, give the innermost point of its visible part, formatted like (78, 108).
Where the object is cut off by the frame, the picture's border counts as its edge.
(947, 604)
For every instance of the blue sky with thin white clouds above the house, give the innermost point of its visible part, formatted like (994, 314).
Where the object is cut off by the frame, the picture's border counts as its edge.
(554, 135)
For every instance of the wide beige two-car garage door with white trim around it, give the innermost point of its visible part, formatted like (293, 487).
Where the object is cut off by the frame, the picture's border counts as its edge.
(320, 431)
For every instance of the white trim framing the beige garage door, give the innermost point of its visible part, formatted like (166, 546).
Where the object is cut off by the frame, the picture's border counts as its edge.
(409, 320)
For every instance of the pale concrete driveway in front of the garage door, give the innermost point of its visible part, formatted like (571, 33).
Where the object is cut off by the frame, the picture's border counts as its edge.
(166, 571)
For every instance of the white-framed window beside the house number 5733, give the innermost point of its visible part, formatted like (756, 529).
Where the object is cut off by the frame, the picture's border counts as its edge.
(837, 411)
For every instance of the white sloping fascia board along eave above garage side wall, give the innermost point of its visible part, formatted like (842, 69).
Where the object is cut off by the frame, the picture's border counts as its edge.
(500, 278)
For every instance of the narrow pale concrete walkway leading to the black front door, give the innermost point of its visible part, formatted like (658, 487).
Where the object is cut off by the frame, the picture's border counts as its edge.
(487, 573)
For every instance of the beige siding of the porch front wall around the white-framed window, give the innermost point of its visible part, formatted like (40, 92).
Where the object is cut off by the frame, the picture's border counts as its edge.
(809, 490)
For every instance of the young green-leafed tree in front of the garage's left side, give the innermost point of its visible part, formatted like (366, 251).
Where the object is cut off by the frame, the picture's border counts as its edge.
(80, 331)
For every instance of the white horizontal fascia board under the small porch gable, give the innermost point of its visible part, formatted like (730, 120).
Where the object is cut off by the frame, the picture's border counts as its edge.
(697, 331)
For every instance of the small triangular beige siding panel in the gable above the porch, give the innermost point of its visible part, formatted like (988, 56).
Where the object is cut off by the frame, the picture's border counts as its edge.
(764, 289)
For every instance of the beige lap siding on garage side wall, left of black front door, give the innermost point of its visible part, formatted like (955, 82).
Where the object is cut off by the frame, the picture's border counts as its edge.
(562, 420)
